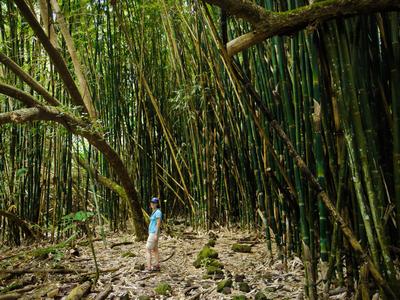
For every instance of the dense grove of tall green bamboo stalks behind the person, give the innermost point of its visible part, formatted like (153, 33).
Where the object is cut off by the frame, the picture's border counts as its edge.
(191, 126)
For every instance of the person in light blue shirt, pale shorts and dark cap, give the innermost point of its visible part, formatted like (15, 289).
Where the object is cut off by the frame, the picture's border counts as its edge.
(154, 231)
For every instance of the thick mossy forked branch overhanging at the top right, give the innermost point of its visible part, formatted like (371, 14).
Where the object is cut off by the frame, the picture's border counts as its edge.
(268, 24)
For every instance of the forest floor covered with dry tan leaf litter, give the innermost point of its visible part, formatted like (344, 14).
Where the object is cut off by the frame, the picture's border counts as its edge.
(122, 266)
